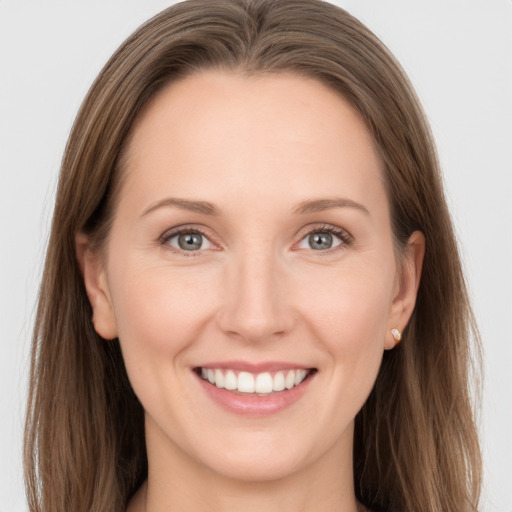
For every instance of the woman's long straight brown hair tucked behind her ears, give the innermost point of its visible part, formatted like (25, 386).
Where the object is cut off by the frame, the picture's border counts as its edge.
(416, 447)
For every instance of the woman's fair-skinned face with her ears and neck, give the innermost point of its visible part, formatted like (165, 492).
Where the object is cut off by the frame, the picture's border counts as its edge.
(295, 269)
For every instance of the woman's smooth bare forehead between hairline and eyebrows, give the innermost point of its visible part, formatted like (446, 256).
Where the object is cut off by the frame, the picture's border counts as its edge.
(254, 135)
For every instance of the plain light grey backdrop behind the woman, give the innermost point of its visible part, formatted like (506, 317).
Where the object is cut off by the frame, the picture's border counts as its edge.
(458, 54)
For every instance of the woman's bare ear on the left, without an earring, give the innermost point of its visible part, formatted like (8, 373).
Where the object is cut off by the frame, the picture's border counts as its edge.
(95, 280)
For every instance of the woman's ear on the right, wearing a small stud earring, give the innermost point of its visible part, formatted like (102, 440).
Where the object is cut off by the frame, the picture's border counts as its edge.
(406, 288)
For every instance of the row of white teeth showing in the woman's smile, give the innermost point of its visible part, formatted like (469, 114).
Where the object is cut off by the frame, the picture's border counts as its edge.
(256, 384)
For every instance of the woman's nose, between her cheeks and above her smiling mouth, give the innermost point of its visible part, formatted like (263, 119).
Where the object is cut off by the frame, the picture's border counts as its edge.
(256, 303)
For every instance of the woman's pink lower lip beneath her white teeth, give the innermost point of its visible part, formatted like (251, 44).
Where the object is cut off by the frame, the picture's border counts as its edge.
(255, 405)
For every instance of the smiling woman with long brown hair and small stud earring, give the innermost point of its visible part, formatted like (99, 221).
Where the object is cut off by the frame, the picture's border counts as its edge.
(252, 291)
